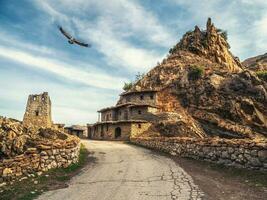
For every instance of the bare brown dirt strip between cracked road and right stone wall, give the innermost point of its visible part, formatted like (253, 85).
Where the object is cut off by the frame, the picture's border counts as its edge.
(221, 183)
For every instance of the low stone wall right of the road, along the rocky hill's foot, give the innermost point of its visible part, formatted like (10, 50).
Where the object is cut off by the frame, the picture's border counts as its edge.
(234, 152)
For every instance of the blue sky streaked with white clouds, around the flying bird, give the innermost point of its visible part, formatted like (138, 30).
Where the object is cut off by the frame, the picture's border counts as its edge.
(127, 37)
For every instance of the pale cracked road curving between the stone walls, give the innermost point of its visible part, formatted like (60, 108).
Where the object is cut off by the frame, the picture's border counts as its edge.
(126, 172)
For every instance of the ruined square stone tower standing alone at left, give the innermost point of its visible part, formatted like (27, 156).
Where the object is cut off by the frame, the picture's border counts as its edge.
(38, 111)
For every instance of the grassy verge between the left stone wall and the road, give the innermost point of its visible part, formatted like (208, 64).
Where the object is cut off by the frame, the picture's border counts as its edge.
(53, 179)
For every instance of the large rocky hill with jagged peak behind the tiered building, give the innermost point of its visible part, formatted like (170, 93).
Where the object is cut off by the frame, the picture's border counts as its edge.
(210, 90)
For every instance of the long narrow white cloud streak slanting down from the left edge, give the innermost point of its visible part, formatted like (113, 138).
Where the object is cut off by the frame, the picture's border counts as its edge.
(63, 70)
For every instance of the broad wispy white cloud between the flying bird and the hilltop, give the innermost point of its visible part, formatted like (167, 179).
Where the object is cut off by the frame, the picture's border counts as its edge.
(115, 24)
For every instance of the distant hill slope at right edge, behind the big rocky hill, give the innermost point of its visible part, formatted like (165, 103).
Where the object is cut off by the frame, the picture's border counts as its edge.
(257, 63)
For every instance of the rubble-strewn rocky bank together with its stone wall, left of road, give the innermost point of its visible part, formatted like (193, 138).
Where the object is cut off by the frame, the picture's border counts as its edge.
(31, 149)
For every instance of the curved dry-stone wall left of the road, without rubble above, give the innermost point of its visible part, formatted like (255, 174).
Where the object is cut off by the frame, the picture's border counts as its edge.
(46, 155)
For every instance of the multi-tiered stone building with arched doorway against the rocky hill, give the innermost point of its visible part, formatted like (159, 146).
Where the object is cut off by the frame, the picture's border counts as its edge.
(131, 116)
